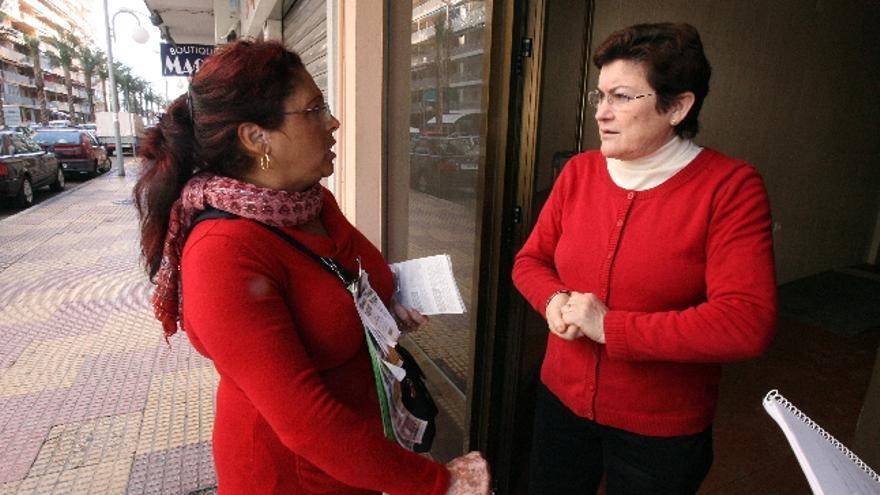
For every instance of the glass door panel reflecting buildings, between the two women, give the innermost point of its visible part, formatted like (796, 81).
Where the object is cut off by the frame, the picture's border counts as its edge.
(435, 164)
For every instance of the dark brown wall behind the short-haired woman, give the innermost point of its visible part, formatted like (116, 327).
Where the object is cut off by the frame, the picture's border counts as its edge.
(794, 92)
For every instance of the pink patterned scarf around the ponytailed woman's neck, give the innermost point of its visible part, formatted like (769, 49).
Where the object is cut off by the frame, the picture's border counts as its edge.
(269, 206)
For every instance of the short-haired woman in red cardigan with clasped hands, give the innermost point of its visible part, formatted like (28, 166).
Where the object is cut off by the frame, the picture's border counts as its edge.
(652, 261)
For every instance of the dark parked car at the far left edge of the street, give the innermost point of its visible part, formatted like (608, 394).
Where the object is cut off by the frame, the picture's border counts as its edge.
(25, 166)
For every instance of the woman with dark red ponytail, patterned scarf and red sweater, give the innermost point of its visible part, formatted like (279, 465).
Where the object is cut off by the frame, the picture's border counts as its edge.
(297, 407)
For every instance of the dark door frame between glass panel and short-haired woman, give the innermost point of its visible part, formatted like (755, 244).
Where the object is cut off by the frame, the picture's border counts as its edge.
(514, 93)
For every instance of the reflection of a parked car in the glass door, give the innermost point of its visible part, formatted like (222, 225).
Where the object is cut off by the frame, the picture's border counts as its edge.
(444, 165)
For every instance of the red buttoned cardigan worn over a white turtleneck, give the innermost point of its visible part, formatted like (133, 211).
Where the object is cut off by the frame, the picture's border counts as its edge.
(686, 269)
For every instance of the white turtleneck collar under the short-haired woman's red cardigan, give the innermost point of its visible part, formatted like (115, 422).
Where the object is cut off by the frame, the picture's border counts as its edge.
(652, 170)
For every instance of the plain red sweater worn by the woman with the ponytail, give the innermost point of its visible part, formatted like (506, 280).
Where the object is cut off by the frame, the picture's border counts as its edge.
(296, 405)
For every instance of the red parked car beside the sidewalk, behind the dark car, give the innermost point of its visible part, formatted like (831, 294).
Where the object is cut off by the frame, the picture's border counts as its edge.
(78, 150)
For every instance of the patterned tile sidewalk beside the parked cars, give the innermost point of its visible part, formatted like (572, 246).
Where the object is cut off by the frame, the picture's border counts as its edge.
(92, 399)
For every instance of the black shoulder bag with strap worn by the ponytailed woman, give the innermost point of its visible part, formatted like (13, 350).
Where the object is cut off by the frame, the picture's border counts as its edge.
(414, 394)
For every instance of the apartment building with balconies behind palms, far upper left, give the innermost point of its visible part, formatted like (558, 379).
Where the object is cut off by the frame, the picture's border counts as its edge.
(23, 19)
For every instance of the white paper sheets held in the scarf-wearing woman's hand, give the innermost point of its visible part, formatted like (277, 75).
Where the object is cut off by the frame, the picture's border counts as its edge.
(428, 285)
